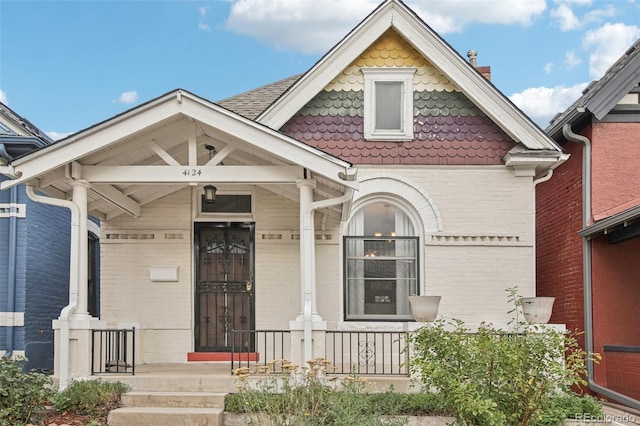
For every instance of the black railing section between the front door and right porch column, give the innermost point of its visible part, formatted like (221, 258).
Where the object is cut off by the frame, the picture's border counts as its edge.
(260, 348)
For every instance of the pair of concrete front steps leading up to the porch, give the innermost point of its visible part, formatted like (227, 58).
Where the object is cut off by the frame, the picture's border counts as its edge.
(152, 408)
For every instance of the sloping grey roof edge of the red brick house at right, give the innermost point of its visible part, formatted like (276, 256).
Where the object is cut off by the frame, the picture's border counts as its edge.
(601, 96)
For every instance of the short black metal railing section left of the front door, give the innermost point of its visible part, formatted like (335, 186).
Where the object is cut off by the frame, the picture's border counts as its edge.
(113, 351)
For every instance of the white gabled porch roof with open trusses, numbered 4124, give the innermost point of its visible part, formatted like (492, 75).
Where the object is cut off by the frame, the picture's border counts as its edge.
(175, 141)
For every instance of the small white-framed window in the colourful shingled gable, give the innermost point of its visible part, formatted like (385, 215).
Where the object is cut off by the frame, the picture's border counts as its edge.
(388, 103)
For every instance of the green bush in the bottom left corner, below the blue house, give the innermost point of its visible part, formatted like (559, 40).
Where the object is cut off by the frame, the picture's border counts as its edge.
(22, 395)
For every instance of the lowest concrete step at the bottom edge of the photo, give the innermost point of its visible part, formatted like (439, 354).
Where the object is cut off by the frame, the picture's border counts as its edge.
(154, 416)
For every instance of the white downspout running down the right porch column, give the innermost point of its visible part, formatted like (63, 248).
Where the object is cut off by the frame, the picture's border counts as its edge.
(310, 287)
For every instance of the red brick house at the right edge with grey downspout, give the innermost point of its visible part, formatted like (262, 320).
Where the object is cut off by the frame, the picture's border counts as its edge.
(588, 227)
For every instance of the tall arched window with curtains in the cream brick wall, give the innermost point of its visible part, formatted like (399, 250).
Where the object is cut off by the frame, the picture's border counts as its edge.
(381, 263)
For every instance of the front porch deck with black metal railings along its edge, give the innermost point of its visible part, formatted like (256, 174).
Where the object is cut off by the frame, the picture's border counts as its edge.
(362, 353)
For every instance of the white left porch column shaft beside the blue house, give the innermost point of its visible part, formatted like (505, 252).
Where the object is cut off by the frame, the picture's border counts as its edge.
(80, 188)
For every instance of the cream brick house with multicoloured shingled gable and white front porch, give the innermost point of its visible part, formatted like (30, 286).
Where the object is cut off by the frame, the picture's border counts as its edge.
(392, 167)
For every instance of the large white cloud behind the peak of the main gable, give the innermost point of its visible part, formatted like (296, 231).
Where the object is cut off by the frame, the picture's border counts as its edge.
(315, 26)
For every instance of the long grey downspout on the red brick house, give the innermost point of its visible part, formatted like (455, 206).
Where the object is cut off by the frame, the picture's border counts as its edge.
(586, 265)
